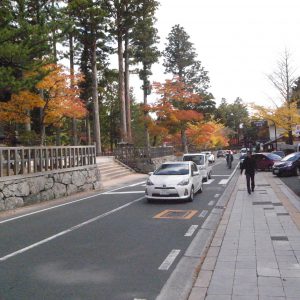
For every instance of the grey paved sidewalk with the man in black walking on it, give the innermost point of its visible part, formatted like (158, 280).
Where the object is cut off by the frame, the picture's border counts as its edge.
(255, 253)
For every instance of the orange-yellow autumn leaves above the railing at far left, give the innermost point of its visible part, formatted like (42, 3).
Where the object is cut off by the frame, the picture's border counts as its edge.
(54, 94)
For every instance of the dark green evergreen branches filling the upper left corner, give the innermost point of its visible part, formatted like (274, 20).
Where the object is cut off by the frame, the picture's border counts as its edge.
(24, 44)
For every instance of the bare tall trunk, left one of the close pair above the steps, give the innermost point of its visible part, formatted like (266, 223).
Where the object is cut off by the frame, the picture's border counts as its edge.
(122, 89)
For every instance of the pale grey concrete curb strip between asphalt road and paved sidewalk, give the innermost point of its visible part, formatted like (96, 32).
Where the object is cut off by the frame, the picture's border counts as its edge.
(180, 283)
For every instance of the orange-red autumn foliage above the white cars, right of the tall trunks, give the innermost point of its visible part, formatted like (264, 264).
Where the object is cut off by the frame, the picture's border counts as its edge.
(178, 123)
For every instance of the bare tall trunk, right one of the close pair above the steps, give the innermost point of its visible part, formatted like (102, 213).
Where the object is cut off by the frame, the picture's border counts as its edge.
(127, 92)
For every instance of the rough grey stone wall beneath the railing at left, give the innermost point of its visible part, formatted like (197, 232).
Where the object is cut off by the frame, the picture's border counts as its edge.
(18, 191)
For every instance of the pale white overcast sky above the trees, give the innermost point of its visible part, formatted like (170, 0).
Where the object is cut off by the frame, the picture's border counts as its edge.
(239, 43)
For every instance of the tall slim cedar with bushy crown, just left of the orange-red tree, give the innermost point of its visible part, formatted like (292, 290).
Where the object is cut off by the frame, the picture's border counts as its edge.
(145, 52)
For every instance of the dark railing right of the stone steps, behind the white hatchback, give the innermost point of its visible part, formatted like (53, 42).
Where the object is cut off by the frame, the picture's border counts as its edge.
(129, 155)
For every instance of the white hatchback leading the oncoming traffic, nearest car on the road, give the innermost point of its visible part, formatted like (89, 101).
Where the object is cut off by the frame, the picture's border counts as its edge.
(174, 180)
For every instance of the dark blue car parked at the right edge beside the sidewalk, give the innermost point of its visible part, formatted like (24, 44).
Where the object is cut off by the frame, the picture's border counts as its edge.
(289, 165)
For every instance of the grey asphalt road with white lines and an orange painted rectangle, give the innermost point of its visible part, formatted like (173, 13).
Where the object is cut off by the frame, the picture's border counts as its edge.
(114, 245)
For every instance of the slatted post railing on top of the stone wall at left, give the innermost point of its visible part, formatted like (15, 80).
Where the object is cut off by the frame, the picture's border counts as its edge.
(28, 160)
